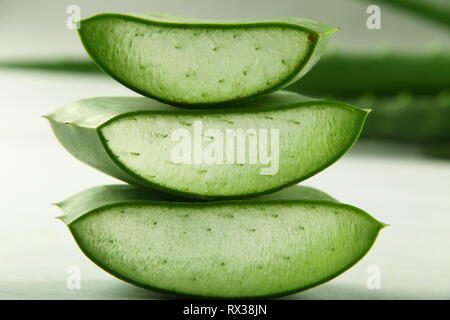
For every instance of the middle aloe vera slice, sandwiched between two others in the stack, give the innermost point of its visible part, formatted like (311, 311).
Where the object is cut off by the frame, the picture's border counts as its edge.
(284, 138)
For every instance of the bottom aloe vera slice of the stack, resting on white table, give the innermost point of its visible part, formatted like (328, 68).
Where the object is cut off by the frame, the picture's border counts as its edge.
(267, 246)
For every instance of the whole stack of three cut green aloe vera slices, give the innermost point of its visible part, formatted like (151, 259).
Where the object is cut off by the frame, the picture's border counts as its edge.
(211, 127)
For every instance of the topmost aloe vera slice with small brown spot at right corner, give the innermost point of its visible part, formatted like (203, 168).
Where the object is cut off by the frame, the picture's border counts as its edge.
(191, 62)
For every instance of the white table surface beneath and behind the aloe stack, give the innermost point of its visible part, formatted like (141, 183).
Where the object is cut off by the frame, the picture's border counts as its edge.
(394, 183)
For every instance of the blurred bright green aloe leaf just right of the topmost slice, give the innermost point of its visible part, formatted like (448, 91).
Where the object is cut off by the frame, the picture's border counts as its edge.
(347, 75)
